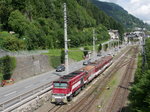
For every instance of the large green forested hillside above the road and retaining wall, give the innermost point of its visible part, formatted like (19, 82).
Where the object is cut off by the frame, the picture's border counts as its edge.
(38, 24)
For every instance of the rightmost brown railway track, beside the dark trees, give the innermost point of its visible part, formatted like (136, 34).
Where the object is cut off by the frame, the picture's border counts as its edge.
(122, 91)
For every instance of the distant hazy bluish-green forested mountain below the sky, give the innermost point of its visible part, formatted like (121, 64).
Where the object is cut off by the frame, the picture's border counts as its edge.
(120, 15)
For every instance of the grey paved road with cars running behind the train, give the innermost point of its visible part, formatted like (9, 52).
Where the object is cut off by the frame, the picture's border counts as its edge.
(29, 84)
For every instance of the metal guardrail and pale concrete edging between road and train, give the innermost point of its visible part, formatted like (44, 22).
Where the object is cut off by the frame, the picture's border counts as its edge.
(17, 101)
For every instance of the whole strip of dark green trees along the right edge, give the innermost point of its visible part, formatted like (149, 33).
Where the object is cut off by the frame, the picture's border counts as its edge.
(140, 91)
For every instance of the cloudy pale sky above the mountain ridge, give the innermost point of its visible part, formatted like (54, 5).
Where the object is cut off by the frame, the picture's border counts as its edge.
(138, 8)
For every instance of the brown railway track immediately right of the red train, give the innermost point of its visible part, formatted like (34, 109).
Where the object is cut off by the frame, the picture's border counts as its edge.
(85, 104)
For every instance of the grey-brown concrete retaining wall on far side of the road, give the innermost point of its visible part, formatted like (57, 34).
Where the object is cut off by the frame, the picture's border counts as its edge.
(28, 66)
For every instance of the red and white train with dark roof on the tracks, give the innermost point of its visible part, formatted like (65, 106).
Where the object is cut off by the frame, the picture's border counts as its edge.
(70, 85)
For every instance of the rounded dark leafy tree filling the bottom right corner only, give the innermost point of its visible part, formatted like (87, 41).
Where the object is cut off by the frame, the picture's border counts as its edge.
(140, 96)
